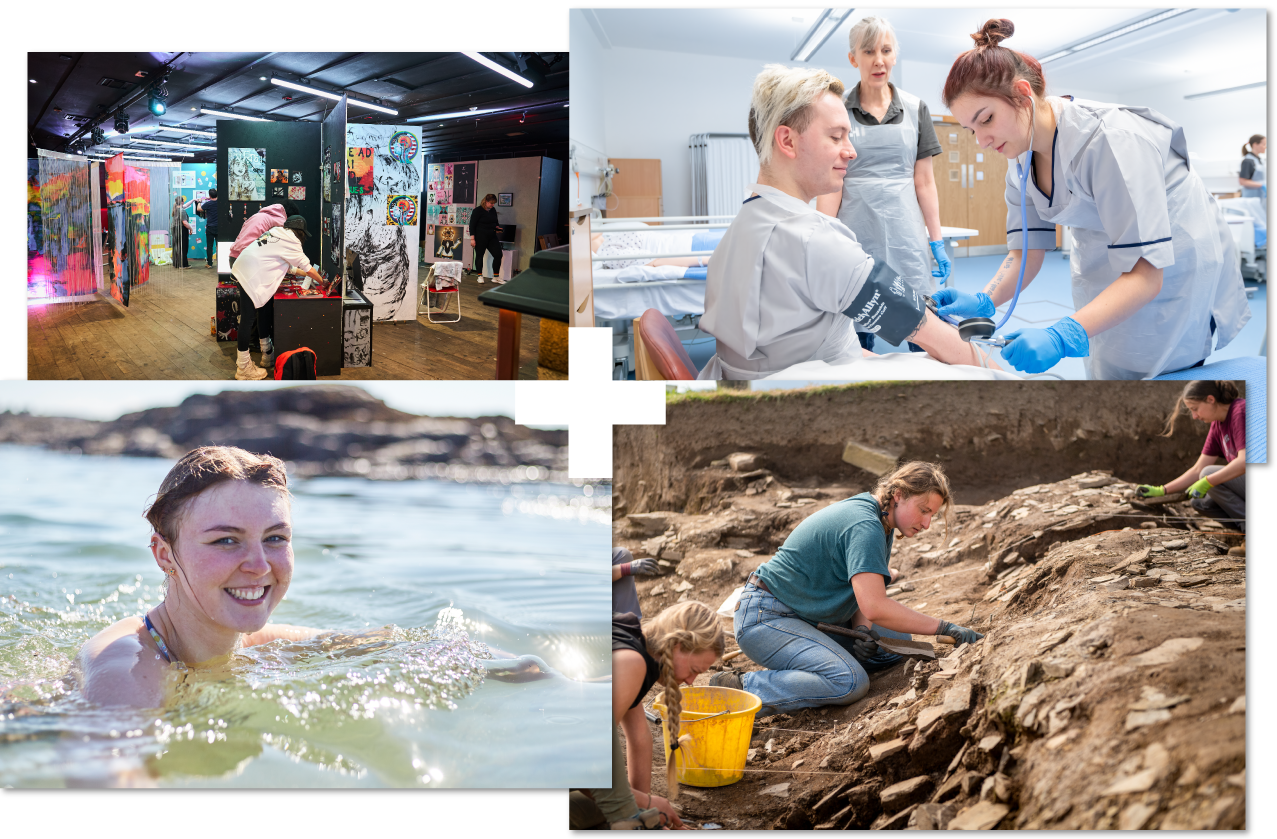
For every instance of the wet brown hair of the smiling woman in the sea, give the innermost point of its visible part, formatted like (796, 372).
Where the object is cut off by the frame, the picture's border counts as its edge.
(199, 471)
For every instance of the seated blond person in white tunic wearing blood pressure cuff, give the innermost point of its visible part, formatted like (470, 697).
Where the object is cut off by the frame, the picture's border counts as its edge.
(789, 283)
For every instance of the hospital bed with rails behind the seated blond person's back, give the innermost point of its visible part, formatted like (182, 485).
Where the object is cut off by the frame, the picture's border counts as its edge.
(624, 294)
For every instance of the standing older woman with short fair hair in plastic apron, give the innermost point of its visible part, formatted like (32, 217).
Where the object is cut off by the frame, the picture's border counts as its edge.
(889, 196)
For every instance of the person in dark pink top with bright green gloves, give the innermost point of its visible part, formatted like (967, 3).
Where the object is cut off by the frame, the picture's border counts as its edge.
(1215, 490)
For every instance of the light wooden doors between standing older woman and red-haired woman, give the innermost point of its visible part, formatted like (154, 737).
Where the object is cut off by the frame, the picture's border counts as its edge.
(972, 187)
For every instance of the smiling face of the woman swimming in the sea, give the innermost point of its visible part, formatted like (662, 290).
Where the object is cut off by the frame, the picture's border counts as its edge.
(234, 556)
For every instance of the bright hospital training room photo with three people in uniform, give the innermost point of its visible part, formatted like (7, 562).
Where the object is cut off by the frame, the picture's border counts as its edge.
(850, 195)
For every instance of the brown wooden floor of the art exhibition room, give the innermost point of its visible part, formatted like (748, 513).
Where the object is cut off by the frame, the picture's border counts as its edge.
(164, 335)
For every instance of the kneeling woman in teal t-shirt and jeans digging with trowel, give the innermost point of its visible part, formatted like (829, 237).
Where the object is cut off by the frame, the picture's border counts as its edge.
(833, 569)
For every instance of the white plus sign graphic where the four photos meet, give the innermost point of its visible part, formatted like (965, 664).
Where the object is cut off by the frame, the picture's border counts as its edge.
(591, 403)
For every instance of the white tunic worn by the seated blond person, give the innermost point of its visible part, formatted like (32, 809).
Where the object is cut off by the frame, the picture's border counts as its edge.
(777, 289)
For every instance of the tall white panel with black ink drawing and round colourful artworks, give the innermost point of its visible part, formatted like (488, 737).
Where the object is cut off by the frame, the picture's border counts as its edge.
(388, 253)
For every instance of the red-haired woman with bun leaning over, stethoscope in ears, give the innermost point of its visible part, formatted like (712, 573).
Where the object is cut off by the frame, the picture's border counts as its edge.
(1155, 269)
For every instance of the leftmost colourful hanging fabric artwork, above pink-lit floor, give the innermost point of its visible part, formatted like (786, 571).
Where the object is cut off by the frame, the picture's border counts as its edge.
(66, 268)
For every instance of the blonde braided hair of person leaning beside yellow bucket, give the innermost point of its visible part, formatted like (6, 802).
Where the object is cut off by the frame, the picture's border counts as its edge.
(694, 628)
